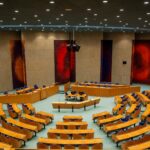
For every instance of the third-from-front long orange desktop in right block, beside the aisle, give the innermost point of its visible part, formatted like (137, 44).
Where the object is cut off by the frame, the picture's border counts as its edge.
(119, 126)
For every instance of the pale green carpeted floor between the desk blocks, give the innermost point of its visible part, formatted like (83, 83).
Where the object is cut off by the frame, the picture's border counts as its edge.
(106, 104)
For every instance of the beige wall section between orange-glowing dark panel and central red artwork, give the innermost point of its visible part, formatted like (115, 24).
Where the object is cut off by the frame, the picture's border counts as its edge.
(39, 54)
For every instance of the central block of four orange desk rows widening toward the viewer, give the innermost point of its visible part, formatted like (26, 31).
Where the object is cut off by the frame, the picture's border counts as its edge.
(70, 136)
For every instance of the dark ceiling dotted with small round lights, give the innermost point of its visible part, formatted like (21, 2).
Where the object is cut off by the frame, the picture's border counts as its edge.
(115, 15)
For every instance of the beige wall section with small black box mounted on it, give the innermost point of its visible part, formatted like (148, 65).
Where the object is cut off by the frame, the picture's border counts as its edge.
(122, 51)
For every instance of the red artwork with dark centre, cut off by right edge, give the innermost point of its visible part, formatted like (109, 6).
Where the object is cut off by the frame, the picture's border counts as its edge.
(141, 61)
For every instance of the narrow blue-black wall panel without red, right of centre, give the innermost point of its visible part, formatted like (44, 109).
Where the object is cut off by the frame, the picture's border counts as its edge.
(106, 60)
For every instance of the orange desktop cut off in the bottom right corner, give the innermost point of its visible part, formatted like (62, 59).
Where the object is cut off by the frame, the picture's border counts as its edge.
(141, 146)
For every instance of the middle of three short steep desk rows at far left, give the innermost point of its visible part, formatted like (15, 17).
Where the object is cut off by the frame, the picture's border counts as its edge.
(13, 110)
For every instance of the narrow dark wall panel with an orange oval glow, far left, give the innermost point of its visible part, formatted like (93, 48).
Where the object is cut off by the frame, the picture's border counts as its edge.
(18, 63)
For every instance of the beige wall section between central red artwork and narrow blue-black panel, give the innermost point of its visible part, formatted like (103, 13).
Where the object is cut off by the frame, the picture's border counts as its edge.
(88, 58)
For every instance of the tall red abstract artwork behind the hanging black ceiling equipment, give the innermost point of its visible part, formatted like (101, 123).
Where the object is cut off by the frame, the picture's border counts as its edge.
(64, 62)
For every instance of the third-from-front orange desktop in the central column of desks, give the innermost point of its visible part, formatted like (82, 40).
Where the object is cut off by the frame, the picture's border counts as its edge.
(71, 132)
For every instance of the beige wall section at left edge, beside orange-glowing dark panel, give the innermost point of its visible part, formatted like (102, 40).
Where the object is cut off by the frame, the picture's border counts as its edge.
(5, 60)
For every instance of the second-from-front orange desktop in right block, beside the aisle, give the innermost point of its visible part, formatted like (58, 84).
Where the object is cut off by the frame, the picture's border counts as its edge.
(109, 120)
